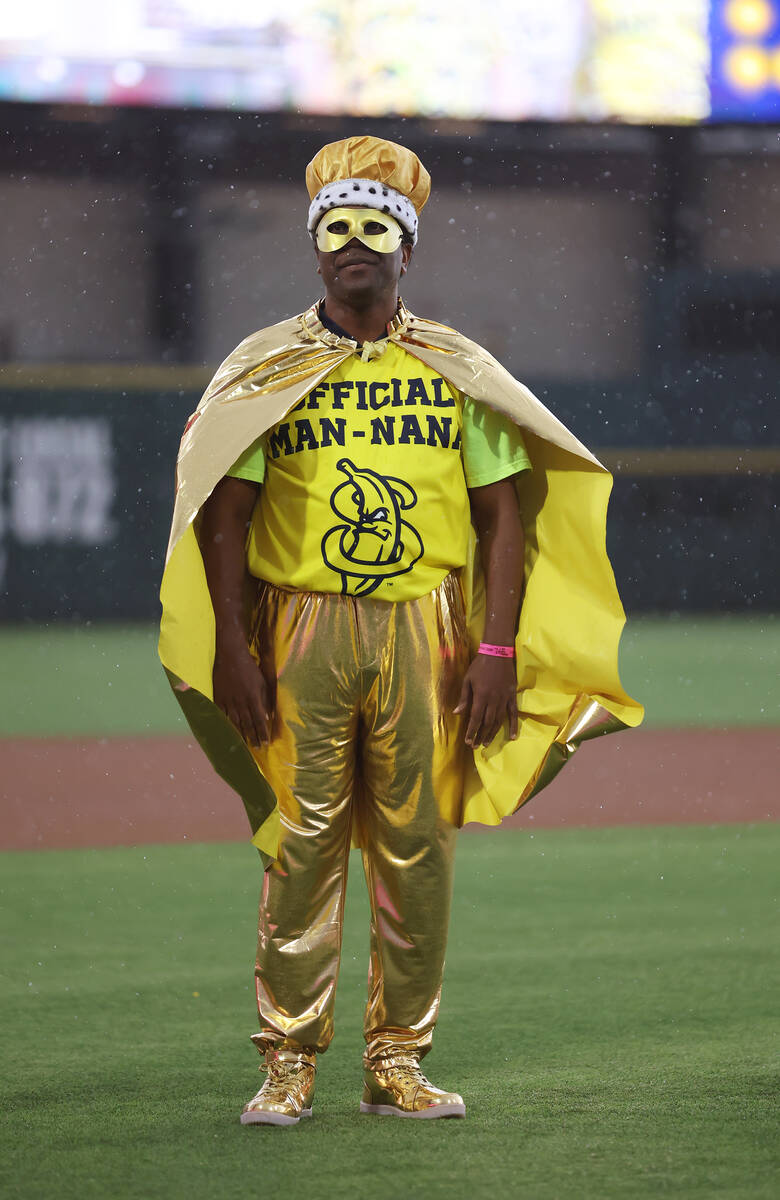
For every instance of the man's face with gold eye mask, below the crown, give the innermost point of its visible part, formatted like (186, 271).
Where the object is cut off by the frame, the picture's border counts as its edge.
(355, 273)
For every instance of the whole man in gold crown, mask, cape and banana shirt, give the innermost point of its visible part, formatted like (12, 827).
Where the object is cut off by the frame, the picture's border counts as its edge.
(363, 500)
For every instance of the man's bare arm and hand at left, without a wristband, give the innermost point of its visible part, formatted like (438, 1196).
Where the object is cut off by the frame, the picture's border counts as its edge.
(241, 689)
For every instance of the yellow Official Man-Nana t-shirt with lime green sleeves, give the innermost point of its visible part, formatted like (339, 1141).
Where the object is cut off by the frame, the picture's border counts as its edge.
(365, 482)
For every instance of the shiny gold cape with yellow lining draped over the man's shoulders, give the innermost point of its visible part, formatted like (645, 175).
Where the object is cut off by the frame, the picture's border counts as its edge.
(568, 681)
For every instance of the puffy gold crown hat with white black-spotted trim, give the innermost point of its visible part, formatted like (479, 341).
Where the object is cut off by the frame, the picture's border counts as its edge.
(368, 173)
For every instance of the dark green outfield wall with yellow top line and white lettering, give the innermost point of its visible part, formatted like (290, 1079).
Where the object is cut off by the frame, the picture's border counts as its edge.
(87, 459)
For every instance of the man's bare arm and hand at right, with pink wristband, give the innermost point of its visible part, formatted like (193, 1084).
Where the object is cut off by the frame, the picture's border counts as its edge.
(490, 688)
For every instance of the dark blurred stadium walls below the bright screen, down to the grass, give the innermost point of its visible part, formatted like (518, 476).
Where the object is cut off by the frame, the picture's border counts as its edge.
(631, 275)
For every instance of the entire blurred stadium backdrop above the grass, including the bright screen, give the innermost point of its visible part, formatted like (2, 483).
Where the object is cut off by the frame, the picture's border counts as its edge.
(604, 219)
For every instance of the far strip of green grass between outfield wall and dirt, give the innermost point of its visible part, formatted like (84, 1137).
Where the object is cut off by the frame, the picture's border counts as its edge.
(104, 681)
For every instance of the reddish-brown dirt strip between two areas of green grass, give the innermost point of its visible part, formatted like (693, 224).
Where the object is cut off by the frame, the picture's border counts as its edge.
(61, 794)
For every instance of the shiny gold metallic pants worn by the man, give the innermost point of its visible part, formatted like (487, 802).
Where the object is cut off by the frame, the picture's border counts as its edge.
(364, 740)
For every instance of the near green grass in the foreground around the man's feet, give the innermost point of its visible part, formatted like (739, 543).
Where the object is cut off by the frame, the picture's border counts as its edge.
(610, 1015)
